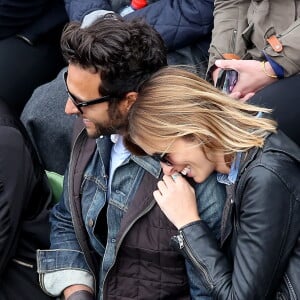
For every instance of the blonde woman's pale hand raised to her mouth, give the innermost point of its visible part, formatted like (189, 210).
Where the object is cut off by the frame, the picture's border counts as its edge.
(177, 200)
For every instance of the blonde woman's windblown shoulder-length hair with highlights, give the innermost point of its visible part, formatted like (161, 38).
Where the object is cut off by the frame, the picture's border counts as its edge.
(176, 103)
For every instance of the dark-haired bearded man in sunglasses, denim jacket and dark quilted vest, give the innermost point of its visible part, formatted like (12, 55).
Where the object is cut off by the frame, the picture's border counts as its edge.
(109, 240)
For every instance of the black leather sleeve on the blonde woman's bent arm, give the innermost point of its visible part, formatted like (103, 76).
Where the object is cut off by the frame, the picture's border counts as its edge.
(262, 232)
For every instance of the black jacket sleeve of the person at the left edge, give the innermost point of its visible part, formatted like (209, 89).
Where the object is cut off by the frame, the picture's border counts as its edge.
(16, 173)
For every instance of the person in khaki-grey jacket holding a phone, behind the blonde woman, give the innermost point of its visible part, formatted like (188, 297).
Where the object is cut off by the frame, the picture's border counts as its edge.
(258, 39)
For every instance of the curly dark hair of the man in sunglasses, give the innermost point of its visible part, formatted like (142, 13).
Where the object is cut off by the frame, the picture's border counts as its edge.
(124, 52)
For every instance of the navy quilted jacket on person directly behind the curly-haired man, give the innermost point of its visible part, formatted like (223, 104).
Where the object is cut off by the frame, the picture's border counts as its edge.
(180, 22)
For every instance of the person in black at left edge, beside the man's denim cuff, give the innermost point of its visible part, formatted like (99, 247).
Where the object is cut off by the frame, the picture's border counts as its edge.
(25, 202)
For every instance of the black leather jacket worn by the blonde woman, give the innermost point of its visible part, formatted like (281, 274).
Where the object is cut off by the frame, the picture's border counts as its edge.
(259, 256)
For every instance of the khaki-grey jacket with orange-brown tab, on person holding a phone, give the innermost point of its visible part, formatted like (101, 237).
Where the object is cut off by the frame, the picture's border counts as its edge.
(243, 27)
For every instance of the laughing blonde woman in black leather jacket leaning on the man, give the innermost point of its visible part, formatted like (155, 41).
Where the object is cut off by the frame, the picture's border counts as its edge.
(194, 130)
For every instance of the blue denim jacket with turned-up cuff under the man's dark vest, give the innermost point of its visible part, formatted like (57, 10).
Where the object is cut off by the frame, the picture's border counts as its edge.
(67, 245)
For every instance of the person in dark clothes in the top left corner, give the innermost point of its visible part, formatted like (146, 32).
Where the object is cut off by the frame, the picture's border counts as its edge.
(29, 47)
